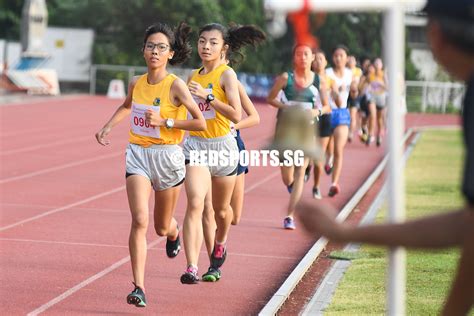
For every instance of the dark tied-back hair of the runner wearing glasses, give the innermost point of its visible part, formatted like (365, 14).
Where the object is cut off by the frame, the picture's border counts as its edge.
(178, 39)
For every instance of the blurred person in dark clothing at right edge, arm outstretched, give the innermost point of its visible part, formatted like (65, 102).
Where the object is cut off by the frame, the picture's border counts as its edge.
(450, 32)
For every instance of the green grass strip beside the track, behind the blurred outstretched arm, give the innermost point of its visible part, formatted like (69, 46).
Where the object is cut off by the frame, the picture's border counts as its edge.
(433, 177)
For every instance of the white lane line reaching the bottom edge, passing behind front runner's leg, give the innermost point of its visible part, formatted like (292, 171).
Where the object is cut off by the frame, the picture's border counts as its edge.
(88, 281)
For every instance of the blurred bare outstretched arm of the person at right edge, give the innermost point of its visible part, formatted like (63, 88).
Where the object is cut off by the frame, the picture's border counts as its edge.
(438, 231)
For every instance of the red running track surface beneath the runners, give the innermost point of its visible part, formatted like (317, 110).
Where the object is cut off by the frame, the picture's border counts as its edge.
(65, 221)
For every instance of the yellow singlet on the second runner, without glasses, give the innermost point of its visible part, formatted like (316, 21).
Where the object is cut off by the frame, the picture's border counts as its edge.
(217, 124)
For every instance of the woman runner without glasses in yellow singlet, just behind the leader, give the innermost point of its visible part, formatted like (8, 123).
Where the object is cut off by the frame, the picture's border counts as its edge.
(215, 88)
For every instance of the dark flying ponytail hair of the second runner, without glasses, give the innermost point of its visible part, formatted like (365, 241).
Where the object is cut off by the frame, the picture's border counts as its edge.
(237, 36)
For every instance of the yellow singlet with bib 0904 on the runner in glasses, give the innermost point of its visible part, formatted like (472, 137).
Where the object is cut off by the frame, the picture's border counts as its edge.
(156, 97)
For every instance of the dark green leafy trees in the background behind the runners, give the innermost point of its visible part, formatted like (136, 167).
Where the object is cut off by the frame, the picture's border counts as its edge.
(119, 26)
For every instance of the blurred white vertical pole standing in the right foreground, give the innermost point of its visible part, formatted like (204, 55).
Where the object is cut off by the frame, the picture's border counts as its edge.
(394, 49)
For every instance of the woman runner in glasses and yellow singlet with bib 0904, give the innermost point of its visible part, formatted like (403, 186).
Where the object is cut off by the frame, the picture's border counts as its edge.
(156, 103)
